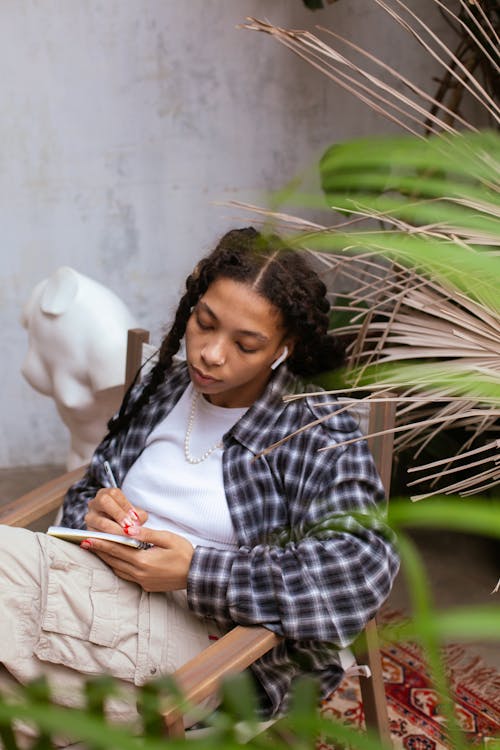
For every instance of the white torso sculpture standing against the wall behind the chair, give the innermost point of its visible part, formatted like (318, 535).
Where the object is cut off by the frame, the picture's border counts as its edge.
(77, 349)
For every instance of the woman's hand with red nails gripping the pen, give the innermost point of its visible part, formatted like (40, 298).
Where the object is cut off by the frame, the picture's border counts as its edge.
(110, 511)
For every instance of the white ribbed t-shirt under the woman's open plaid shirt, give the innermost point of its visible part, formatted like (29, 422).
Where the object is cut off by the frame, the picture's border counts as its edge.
(185, 498)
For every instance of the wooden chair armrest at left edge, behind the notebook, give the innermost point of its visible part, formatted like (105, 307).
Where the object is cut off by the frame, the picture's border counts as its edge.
(40, 501)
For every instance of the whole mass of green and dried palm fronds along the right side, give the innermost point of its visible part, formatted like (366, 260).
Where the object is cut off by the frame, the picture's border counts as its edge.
(422, 294)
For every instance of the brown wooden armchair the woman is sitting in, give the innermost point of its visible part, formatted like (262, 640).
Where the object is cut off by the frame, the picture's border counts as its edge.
(200, 678)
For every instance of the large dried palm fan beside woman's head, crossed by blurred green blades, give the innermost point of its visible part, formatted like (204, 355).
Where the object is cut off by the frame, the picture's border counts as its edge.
(399, 313)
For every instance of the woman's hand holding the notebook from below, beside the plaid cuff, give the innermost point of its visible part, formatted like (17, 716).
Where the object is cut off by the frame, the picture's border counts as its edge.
(163, 567)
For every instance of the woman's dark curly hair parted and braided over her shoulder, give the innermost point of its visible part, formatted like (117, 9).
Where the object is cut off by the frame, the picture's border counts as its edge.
(278, 273)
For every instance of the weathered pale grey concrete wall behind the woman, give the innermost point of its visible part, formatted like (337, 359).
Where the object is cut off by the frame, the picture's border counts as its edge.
(123, 121)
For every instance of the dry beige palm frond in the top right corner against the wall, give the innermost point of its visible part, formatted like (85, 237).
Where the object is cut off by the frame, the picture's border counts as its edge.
(414, 111)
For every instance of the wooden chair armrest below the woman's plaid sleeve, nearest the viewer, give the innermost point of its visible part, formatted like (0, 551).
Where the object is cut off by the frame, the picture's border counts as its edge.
(201, 676)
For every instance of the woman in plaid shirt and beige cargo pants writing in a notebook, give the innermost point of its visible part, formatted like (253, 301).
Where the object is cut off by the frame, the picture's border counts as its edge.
(238, 537)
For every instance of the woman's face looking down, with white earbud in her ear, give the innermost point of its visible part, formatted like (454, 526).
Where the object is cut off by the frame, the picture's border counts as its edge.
(232, 337)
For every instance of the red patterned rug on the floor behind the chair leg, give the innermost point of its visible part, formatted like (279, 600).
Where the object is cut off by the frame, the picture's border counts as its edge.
(416, 723)
